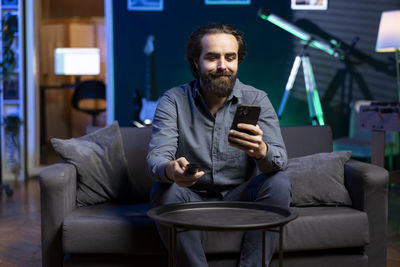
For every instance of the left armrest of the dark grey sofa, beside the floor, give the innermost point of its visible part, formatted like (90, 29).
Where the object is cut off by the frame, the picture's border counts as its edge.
(57, 199)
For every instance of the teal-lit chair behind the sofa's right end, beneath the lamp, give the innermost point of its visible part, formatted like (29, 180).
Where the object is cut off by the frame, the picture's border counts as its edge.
(359, 139)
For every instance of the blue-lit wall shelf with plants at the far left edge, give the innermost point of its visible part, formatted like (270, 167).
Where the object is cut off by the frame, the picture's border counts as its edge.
(11, 98)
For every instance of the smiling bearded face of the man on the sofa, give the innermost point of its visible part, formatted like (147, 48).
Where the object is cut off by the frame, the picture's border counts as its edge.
(218, 63)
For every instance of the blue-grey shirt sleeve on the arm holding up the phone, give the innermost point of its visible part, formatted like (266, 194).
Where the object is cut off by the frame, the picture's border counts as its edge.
(276, 157)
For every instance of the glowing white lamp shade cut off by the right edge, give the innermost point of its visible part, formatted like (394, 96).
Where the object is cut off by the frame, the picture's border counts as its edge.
(389, 32)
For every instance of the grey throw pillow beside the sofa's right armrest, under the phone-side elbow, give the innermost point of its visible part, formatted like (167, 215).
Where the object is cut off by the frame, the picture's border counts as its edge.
(318, 179)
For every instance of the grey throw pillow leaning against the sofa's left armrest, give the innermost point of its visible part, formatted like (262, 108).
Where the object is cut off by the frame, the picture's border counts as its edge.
(100, 162)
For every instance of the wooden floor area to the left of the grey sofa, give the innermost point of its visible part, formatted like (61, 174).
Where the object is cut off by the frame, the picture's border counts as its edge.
(20, 243)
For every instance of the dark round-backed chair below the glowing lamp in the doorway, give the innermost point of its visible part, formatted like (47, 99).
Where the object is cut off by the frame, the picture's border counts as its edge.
(90, 97)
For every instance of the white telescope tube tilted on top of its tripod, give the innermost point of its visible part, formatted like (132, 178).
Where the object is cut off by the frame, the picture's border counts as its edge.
(331, 48)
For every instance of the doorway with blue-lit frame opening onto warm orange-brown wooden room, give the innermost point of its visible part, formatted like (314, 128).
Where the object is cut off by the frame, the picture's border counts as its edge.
(62, 121)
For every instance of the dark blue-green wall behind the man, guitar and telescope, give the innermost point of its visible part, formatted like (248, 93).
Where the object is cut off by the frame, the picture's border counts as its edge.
(271, 52)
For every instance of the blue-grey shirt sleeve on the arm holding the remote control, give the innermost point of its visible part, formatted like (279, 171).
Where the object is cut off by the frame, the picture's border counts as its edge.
(163, 144)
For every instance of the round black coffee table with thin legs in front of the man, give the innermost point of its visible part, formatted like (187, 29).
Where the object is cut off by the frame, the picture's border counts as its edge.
(222, 216)
